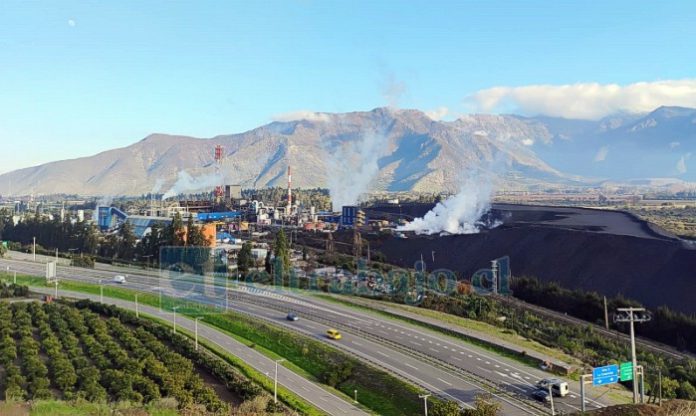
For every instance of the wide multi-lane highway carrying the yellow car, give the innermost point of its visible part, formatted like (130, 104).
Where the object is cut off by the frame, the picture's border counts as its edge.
(440, 364)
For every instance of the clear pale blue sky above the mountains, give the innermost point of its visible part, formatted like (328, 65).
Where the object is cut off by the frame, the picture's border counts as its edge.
(77, 78)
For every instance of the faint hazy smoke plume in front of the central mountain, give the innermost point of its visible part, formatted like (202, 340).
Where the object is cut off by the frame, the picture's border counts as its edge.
(352, 168)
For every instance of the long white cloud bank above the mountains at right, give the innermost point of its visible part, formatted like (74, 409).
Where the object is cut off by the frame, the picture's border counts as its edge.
(586, 100)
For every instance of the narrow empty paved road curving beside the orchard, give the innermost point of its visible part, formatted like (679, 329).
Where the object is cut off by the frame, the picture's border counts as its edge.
(310, 391)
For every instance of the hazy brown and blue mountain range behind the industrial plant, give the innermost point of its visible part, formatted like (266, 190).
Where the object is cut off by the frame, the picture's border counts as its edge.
(409, 150)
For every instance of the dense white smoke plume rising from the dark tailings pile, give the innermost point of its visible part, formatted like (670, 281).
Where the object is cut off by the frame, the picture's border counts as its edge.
(461, 213)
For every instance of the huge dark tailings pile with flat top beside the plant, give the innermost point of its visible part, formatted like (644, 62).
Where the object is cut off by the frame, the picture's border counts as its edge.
(606, 251)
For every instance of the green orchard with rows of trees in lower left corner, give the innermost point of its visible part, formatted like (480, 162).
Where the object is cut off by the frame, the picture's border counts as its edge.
(57, 351)
